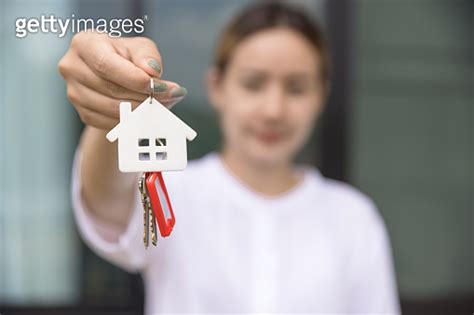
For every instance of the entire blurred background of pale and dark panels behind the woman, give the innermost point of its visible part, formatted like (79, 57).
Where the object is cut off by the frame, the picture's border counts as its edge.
(398, 126)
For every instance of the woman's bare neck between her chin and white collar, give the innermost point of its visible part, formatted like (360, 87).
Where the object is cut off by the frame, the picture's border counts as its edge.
(269, 180)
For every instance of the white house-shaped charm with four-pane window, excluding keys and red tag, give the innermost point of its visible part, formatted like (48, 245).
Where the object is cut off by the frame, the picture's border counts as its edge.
(150, 138)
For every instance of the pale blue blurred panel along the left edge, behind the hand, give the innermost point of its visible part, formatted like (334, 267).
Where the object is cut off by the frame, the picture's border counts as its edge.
(38, 130)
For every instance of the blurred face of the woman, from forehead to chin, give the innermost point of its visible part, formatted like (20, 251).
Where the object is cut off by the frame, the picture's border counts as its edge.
(269, 96)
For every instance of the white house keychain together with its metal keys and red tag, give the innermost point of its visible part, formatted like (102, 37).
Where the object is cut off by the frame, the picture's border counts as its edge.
(151, 139)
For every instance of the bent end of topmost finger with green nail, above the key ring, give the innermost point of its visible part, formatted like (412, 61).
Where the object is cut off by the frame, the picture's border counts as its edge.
(145, 55)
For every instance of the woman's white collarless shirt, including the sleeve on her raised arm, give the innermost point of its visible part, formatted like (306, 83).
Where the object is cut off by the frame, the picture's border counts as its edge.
(320, 248)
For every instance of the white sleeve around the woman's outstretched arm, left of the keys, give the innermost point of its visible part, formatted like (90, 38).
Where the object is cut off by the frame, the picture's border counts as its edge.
(123, 248)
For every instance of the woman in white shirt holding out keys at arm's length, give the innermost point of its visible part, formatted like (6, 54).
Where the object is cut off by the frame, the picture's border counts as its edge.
(254, 232)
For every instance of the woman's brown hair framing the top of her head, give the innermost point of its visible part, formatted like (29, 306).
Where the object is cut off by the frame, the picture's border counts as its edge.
(265, 15)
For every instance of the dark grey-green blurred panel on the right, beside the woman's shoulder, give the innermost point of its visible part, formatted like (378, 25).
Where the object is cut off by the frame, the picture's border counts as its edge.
(411, 131)
